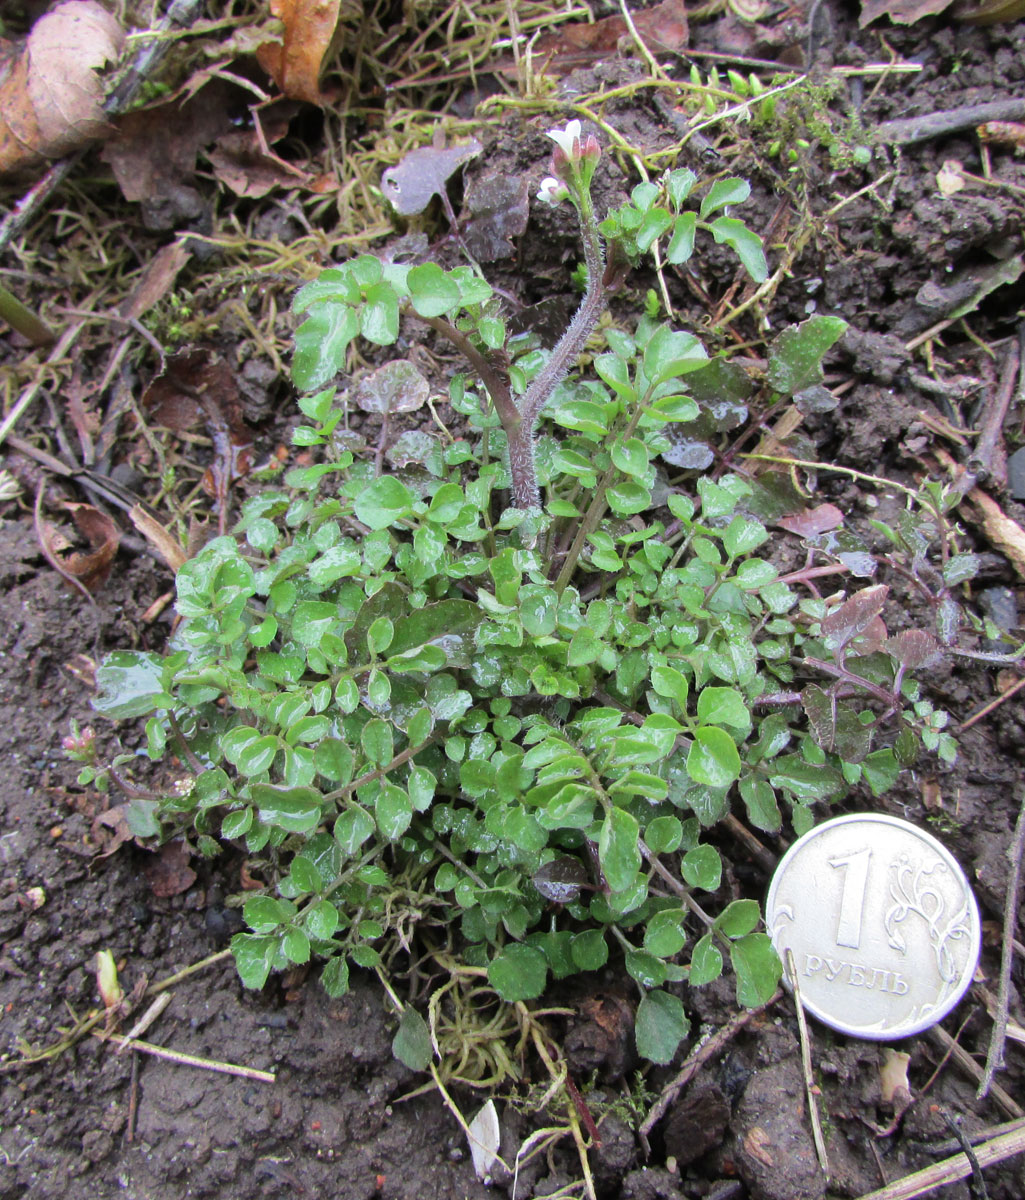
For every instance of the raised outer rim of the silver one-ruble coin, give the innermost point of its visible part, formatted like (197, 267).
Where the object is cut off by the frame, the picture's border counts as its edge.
(901, 1033)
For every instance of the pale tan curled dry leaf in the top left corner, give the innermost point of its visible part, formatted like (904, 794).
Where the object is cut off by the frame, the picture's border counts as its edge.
(52, 103)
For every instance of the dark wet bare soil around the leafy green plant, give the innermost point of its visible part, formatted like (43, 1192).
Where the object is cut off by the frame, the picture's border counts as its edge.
(334, 1124)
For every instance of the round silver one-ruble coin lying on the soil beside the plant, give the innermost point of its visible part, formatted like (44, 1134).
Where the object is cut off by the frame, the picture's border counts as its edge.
(882, 922)
